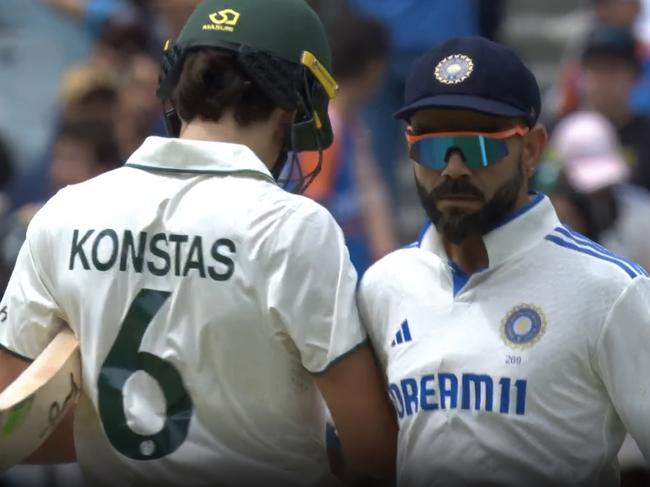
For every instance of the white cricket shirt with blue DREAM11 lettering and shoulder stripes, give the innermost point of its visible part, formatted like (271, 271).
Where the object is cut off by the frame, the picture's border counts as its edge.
(526, 373)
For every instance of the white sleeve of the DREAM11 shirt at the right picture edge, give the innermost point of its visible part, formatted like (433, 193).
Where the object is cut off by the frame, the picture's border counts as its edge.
(623, 360)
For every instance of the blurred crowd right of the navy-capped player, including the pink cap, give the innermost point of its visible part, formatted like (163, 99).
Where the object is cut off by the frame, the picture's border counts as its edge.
(598, 164)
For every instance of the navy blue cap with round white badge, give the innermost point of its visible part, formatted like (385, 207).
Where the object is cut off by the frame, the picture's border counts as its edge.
(472, 73)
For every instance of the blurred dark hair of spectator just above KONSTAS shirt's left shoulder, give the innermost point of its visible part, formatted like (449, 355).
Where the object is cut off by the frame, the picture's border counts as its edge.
(99, 135)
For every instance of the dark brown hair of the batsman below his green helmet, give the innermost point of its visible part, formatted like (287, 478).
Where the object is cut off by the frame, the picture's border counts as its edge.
(211, 84)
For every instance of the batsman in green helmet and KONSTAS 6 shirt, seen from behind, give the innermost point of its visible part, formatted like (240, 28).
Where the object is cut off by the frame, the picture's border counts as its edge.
(213, 309)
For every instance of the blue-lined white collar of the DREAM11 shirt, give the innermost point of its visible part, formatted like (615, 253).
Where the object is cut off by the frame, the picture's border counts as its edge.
(517, 233)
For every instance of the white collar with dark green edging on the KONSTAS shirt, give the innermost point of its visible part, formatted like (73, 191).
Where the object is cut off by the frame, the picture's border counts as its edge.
(197, 156)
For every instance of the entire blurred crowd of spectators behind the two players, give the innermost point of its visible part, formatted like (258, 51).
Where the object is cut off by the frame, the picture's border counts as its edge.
(77, 96)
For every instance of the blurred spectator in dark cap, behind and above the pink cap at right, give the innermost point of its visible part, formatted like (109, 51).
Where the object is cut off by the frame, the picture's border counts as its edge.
(610, 70)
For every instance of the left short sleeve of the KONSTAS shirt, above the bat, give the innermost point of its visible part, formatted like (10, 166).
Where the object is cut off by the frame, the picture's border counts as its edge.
(29, 314)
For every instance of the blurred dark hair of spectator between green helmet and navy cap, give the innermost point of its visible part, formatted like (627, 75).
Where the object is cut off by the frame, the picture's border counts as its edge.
(356, 41)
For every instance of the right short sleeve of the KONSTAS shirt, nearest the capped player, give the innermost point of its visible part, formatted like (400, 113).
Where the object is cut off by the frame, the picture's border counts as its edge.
(311, 291)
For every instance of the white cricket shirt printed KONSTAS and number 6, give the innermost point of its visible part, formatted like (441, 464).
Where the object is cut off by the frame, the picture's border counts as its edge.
(203, 296)
